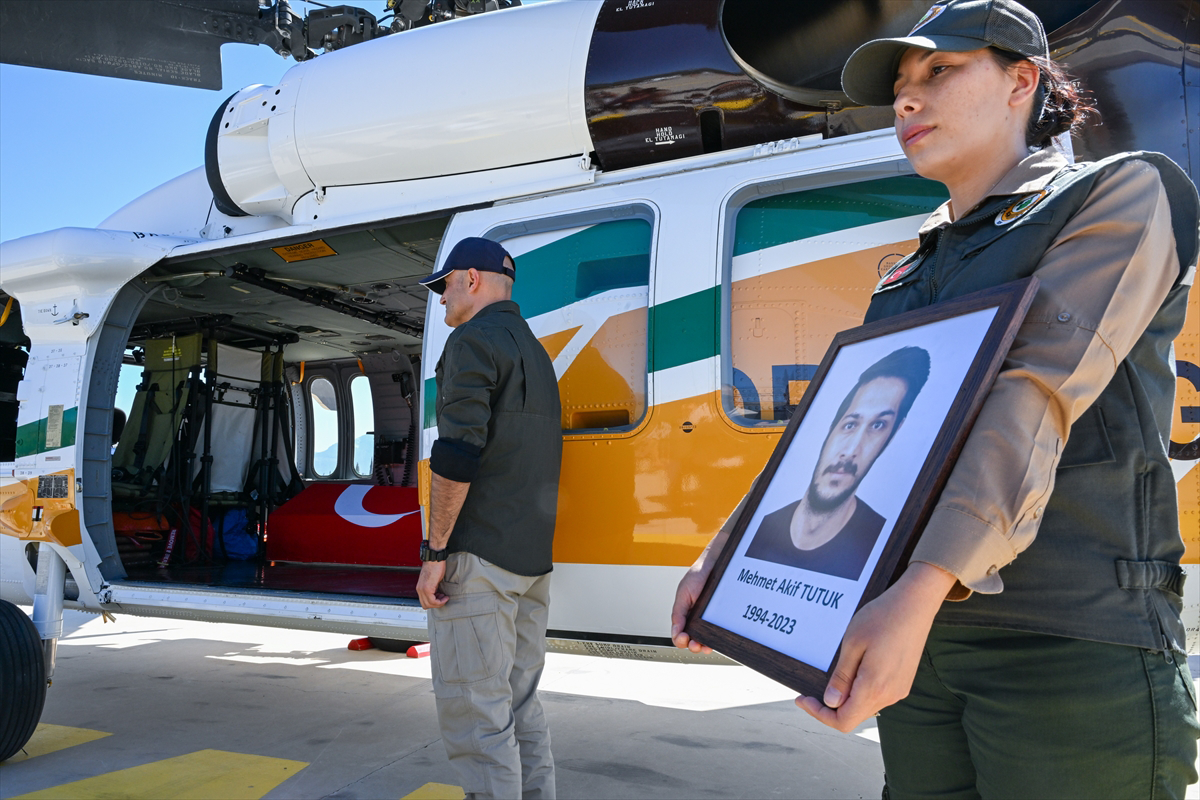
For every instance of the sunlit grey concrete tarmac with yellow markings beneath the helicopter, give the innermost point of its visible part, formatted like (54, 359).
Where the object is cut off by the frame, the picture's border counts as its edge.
(207, 711)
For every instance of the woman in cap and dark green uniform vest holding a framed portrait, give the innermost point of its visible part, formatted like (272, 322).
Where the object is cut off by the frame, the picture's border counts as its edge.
(1034, 646)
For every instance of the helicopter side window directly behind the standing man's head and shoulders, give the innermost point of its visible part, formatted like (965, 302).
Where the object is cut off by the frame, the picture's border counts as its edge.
(585, 290)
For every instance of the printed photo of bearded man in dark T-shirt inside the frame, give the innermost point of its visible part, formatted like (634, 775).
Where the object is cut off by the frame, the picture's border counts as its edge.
(830, 530)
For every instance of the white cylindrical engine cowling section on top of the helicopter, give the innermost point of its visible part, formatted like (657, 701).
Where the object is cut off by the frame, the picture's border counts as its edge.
(464, 97)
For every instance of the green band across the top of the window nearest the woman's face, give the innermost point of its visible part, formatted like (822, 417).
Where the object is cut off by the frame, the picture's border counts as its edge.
(784, 219)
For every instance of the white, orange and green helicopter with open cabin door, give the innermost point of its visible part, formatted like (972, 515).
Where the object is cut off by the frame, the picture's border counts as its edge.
(219, 404)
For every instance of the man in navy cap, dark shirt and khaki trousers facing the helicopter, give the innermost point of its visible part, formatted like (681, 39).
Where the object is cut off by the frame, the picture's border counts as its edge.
(485, 574)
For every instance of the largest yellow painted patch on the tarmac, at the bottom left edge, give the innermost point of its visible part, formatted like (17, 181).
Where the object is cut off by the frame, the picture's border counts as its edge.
(203, 775)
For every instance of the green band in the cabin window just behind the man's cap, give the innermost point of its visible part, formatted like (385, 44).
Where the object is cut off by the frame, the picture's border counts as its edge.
(603, 257)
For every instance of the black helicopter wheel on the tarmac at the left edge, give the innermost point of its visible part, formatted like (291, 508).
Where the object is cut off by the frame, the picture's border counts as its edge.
(22, 679)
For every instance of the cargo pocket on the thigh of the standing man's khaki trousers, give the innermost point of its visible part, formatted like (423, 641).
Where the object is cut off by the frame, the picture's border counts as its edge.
(467, 640)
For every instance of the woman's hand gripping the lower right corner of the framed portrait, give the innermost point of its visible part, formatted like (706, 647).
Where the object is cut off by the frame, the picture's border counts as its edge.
(883, 649)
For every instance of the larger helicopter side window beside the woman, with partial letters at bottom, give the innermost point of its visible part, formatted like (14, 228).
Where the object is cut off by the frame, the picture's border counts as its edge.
(802, 268)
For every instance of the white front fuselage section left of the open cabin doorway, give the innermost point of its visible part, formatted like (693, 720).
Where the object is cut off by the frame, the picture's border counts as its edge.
(58, 489)
